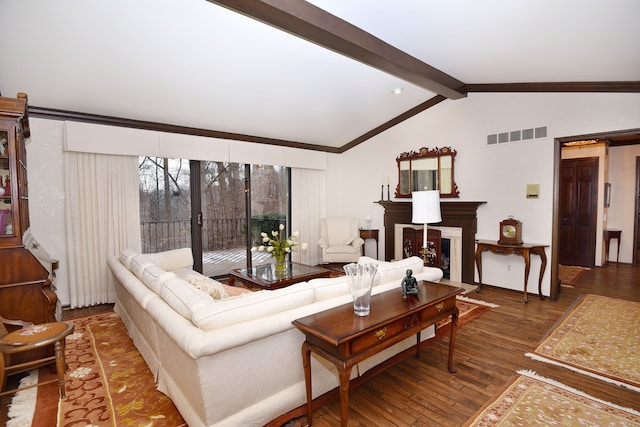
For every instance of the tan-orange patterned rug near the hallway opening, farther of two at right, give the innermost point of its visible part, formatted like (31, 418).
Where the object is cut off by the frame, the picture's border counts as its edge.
(597, 336)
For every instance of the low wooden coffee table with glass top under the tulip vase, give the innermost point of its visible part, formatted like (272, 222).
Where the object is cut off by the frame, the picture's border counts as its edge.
(266, 277)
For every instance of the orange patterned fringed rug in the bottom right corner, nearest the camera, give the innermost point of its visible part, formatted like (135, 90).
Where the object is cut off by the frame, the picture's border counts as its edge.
(531, 400)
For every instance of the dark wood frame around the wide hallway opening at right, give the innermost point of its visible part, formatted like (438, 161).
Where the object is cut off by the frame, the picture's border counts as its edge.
(554, 291)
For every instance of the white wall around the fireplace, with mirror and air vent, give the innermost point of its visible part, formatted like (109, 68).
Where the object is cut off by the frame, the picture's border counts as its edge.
(497, 174)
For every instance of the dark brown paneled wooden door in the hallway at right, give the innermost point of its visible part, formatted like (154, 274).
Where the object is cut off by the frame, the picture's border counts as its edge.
(578, 211)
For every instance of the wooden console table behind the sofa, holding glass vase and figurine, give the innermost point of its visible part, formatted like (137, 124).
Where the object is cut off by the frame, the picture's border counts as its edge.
(345, 339)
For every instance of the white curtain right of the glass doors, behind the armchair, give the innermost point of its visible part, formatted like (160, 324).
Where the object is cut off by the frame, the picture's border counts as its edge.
(308, 201)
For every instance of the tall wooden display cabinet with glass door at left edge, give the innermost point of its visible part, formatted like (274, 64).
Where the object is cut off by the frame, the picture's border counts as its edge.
(25, 284)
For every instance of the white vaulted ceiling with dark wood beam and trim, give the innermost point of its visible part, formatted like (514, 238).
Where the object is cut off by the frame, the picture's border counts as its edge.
(323, 74)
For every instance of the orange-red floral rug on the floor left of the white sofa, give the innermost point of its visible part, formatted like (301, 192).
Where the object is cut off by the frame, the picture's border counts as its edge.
(108, 382)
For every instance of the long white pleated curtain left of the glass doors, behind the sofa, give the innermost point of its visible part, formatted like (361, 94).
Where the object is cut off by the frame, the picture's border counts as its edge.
(102, 217)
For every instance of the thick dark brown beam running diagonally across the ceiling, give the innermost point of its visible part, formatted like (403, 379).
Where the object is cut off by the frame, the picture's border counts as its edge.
(317, 26)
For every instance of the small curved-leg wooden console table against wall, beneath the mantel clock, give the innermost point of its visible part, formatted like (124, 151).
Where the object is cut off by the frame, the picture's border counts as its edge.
(524, 250)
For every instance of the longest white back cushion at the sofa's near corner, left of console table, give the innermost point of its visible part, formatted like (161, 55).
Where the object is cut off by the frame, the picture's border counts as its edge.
(250, 307)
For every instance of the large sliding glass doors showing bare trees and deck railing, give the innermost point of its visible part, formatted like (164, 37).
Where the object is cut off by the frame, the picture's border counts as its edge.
(171, 200)
